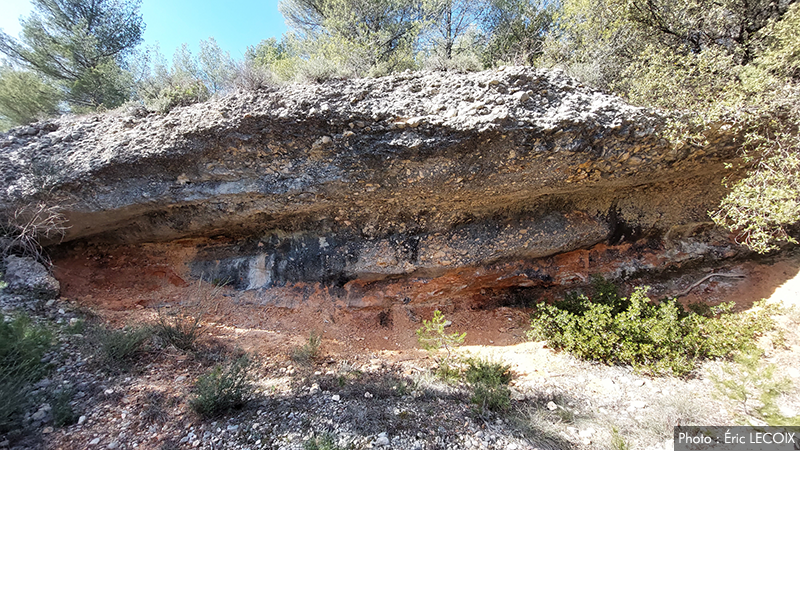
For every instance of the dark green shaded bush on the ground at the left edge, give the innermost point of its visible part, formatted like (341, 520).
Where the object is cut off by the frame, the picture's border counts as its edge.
(22, 347)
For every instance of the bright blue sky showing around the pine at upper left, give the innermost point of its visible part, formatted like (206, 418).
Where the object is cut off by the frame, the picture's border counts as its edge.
(235, 24)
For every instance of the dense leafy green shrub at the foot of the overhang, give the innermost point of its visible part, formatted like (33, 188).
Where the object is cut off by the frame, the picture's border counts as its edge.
(654, 337)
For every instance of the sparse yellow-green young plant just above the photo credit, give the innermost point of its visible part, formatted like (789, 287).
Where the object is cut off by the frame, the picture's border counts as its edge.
(749, 379)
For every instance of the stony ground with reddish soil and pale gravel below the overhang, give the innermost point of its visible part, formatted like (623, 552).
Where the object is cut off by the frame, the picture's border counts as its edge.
(358, 394)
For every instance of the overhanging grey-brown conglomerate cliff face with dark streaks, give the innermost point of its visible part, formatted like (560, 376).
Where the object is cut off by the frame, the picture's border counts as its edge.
(500, 179)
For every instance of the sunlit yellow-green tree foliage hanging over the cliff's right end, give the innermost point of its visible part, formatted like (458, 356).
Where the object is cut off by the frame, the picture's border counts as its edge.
(721, 62)
